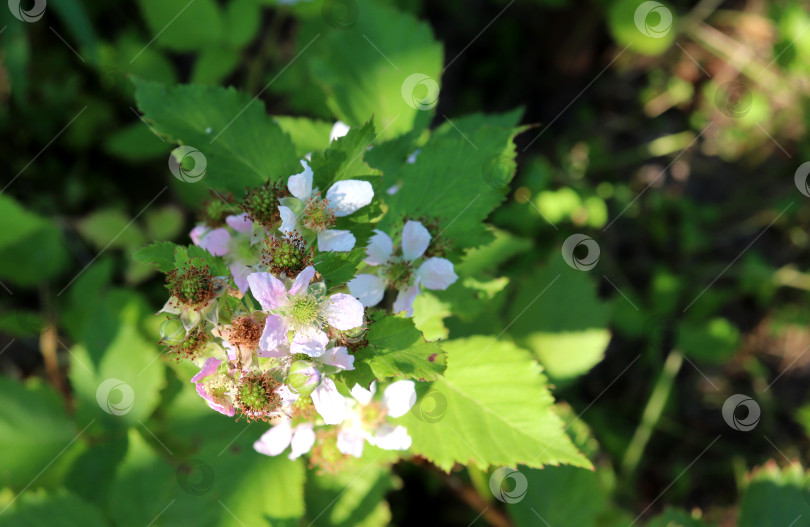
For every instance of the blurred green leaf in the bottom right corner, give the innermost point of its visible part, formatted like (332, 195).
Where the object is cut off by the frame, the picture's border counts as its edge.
(776, 496)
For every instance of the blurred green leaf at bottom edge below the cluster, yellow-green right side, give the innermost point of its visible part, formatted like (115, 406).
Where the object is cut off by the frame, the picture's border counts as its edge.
(217, 487)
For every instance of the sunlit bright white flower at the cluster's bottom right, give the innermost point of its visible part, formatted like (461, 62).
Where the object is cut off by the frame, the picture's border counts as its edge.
(366, 419)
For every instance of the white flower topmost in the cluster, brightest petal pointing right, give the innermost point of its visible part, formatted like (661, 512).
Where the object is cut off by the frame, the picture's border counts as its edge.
(318, 215)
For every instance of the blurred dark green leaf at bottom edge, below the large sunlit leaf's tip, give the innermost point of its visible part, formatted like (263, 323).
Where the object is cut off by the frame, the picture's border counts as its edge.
(562, 496)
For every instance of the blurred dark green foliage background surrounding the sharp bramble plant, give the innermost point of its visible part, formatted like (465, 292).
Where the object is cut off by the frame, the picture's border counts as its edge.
(674, 146)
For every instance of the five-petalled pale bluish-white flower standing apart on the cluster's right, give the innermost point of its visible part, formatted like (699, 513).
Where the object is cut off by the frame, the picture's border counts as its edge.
(398, 271)
